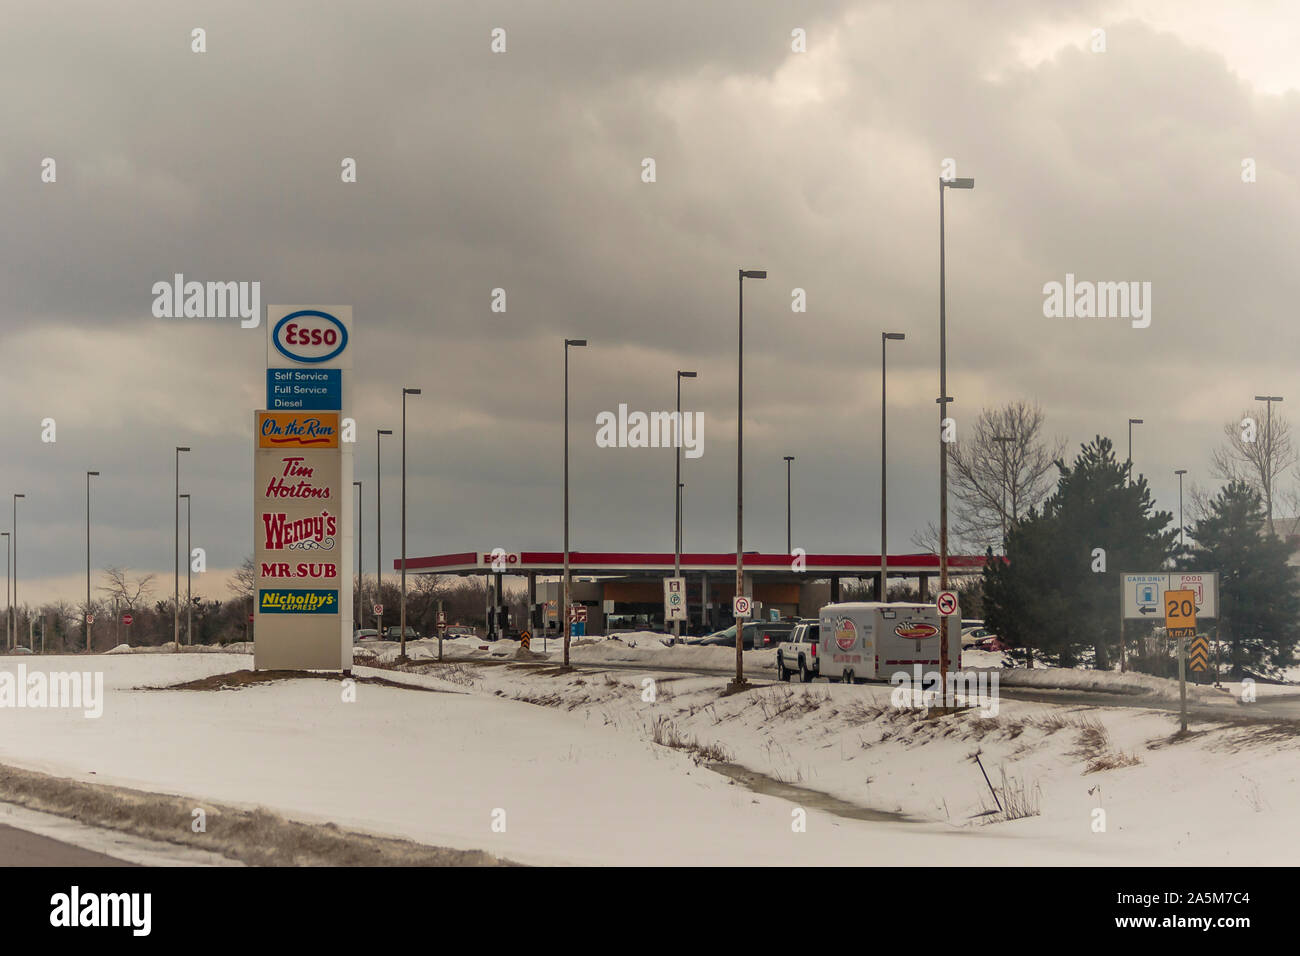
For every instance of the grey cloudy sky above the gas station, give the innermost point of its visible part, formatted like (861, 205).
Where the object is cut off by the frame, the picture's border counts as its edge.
(523, 171)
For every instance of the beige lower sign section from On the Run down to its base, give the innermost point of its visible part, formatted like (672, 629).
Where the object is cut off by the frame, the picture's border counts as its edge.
(298, 548)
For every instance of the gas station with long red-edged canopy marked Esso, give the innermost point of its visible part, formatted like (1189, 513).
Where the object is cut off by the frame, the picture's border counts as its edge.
(625, 590)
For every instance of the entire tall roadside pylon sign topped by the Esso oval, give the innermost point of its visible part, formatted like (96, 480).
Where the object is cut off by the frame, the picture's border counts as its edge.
(304, 496)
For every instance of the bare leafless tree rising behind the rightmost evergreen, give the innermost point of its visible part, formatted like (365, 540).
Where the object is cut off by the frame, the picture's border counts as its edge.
(1259, 451)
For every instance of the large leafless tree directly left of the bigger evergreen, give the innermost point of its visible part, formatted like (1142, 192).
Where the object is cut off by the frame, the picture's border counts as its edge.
(1002, 470)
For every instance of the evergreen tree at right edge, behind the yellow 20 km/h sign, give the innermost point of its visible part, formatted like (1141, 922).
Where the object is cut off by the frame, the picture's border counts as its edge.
(1259, 592)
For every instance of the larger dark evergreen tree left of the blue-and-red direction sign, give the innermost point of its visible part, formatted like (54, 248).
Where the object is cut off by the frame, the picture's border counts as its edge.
(1059, 589)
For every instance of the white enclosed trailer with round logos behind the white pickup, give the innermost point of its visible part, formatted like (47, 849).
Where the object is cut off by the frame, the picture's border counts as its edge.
(873, 641)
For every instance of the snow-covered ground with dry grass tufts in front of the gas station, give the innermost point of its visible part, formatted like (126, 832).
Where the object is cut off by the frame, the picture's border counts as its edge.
(577, 777)
